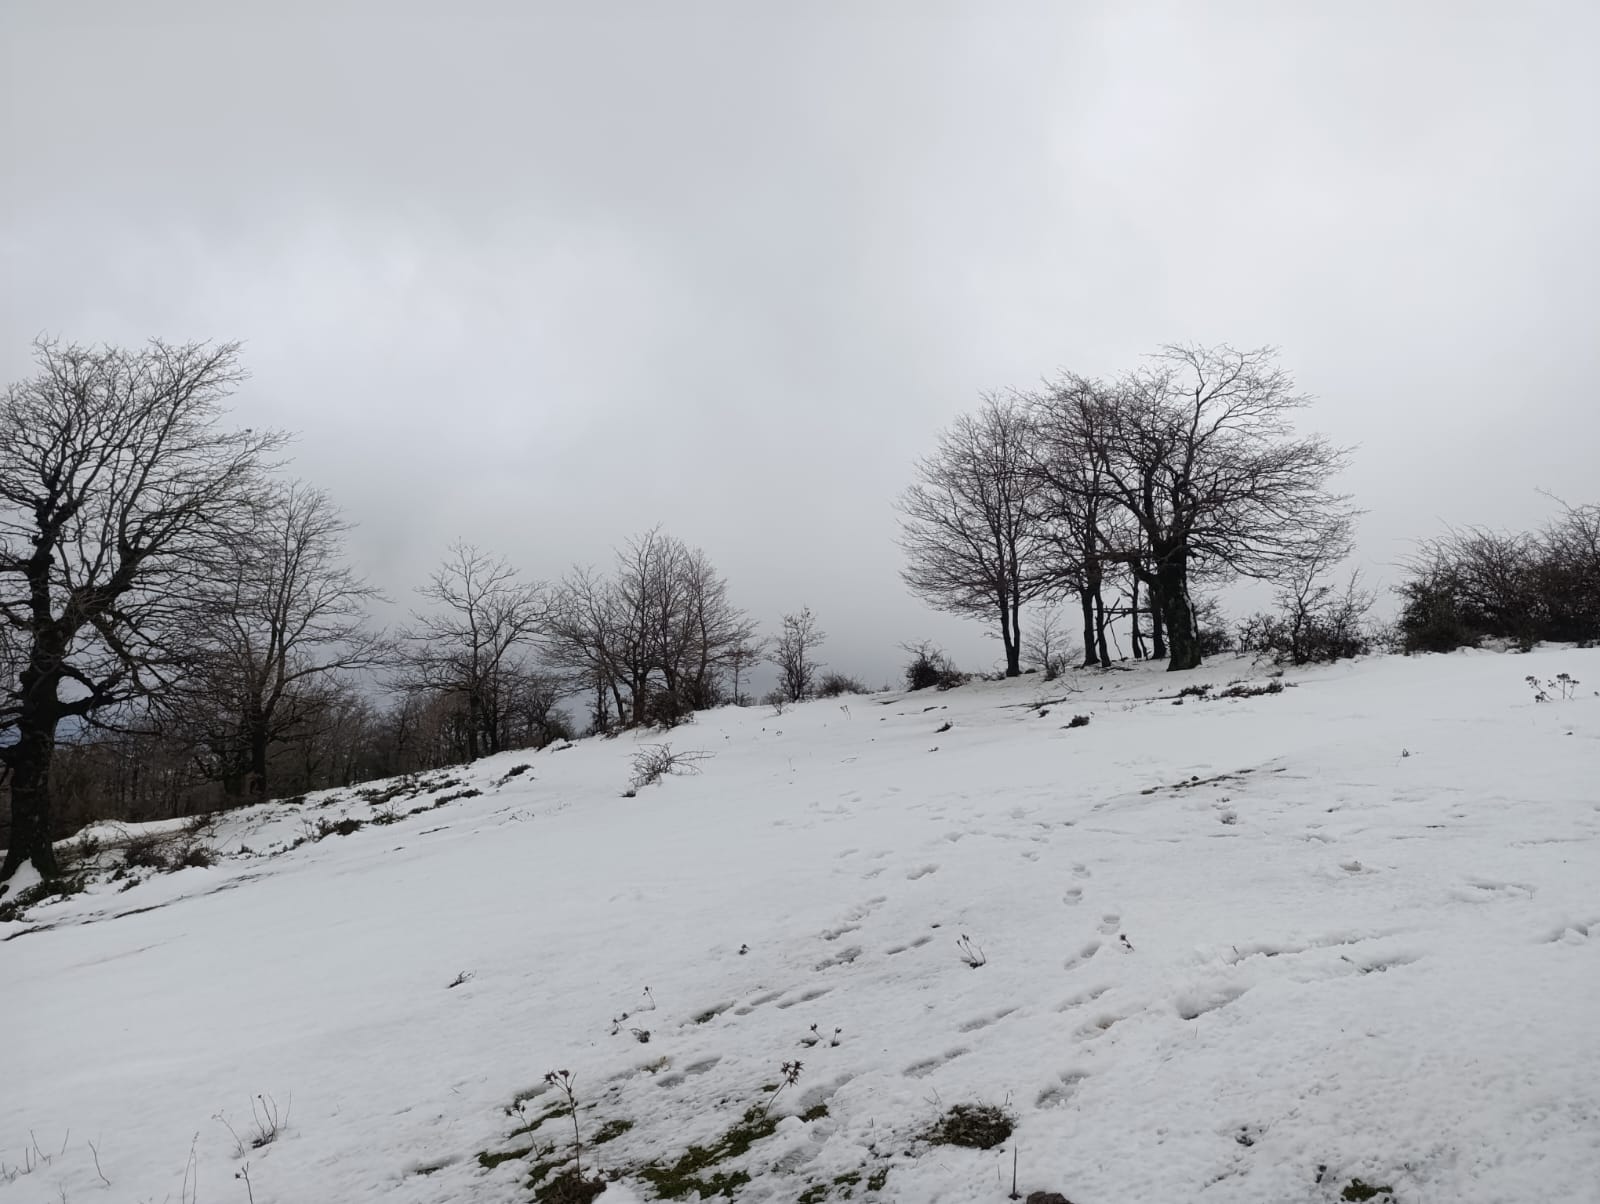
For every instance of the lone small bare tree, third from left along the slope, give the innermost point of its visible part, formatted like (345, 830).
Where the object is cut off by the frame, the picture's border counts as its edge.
(468, 646)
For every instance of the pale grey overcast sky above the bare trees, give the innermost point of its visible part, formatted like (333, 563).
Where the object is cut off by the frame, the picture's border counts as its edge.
(543, 276)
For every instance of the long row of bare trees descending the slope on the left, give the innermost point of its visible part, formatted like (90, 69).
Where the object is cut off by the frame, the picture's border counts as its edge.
(180, 627)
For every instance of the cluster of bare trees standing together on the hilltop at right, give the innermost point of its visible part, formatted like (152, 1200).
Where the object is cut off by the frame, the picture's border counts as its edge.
(1183, 472)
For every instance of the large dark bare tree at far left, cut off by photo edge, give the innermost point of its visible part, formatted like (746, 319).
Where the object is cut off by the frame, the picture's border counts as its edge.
(121, 497)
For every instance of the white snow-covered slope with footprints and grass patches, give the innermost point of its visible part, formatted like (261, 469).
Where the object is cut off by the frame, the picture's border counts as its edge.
(1297, 947)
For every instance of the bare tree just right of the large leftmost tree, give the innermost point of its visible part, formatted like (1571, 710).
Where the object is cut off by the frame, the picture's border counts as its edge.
(284, 625)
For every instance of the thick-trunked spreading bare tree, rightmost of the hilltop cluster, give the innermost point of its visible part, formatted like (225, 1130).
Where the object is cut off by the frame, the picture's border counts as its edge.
(1199, 451)
